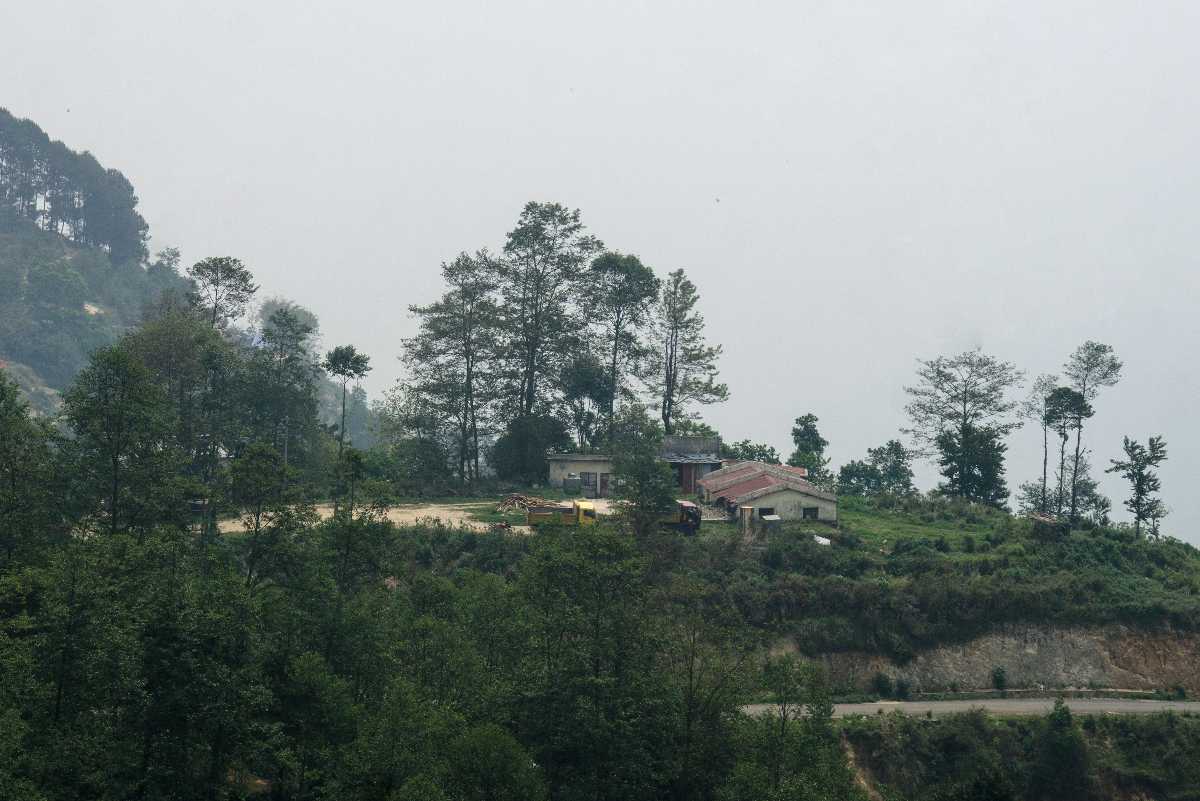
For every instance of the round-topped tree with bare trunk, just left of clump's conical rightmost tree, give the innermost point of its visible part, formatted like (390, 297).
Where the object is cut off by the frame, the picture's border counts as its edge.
(622, 291)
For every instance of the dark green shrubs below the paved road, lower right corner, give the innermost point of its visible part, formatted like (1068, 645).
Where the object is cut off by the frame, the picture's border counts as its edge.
(1058, 758)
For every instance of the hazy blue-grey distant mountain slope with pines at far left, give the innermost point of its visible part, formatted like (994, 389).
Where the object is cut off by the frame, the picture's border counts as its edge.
(74, 269)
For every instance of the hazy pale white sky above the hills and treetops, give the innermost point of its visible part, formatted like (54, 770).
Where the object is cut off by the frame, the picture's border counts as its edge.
(853, 186)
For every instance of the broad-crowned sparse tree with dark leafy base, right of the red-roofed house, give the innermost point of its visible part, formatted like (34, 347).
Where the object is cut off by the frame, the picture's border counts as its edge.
(962, 403)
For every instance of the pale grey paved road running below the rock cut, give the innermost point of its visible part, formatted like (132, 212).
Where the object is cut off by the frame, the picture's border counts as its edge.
(1011, 707)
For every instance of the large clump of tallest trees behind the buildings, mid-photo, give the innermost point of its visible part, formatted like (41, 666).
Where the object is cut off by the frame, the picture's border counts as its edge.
(542, 345)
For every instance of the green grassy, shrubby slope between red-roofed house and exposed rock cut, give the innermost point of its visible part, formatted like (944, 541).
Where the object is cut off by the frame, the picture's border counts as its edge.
(925, 573)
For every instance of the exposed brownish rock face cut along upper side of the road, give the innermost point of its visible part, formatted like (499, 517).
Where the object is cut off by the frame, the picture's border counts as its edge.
(1105, 657)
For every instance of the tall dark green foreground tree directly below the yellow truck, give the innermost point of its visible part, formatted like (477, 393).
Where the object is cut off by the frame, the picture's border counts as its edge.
(592, 713)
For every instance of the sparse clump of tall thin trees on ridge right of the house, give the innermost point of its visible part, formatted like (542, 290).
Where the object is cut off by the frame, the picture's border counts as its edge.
(963, 408)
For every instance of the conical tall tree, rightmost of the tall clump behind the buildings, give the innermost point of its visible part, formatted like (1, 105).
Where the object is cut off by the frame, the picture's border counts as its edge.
(685, 368)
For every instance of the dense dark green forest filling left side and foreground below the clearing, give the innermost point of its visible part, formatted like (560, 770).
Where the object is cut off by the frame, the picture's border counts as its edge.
(145, 657)
